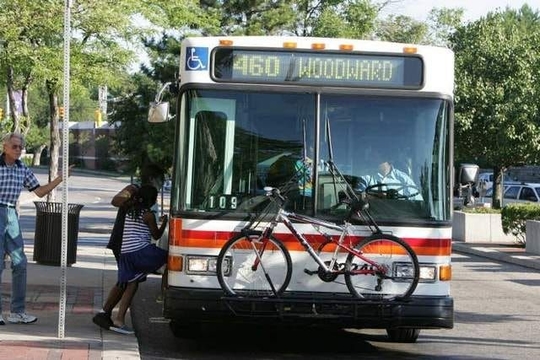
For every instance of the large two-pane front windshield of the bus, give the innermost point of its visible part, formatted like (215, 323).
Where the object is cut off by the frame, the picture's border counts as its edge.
(233, 143)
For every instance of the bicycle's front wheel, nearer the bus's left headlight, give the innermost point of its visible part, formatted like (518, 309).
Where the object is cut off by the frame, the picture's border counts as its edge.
(252, 266)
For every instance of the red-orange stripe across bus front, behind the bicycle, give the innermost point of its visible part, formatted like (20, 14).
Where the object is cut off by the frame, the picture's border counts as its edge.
(216, 240)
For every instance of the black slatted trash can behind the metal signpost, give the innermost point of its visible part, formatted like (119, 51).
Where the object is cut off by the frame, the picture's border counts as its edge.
(48, 233)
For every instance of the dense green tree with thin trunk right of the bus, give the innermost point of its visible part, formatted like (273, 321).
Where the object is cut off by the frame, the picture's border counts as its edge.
(497, 92)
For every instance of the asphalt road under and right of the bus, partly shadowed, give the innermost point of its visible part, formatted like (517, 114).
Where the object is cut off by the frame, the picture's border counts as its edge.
(496, 317)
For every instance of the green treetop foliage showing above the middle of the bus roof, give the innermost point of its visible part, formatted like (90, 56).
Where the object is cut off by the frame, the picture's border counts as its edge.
(332, 18)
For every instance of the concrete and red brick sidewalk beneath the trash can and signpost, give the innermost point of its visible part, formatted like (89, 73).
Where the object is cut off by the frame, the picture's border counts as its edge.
(87, 283)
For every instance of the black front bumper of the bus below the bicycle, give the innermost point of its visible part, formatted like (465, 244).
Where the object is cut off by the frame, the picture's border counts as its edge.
(420, 312)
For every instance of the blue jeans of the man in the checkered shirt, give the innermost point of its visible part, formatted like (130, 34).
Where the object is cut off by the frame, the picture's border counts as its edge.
(11, 243)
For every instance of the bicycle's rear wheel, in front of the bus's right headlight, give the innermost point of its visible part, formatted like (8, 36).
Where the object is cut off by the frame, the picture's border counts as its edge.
(387, 269)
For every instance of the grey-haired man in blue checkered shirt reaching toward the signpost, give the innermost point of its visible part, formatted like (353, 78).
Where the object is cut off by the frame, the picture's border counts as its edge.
(14, 176)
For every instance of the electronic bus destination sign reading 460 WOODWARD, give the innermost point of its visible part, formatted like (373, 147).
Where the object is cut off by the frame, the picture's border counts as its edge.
(316, 68)
